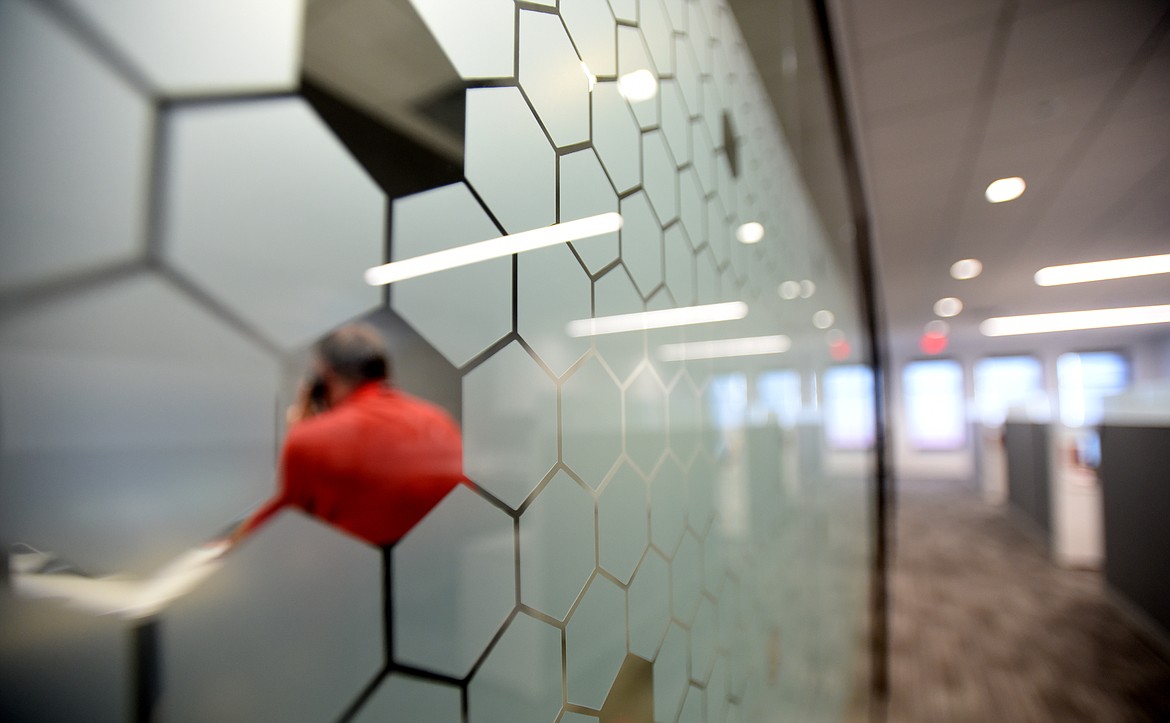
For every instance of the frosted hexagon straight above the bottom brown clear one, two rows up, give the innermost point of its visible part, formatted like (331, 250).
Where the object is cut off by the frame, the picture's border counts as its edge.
(623, 524)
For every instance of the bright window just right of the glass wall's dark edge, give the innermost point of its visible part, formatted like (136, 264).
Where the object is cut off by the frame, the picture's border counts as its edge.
(933, 395)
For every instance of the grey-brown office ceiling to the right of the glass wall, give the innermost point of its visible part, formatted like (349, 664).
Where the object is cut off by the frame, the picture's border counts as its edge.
(948, 95)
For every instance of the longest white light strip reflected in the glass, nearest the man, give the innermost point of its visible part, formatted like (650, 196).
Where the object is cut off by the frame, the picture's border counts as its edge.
(493, 249)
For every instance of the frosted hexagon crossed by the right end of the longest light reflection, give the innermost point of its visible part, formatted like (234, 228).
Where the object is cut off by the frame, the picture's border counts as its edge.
(586, 191)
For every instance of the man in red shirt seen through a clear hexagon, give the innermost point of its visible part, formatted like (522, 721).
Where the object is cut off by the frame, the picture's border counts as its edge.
(361, 455)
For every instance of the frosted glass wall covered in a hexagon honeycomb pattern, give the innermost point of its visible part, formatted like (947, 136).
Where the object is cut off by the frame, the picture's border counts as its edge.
(191, 196)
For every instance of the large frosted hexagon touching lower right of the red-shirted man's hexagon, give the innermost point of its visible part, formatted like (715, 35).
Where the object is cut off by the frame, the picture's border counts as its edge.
(455, 584)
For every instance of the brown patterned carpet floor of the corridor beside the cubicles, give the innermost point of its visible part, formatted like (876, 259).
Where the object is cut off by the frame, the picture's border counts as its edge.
(985, 628)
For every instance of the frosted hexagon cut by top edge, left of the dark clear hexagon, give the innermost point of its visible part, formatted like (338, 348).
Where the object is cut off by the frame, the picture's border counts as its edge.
(205, 49)
